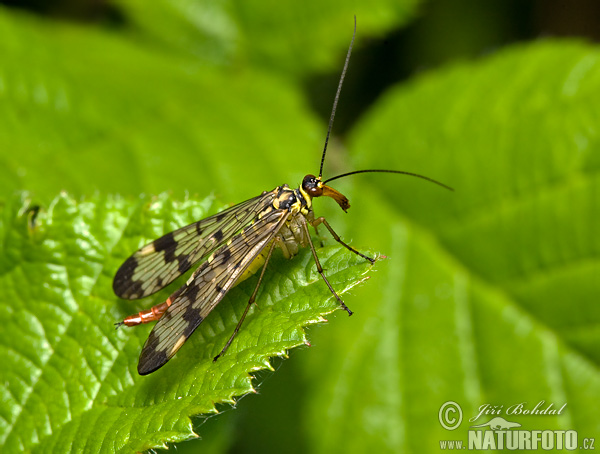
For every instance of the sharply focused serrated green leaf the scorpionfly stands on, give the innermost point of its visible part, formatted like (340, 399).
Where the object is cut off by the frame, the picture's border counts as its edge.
(69, 381)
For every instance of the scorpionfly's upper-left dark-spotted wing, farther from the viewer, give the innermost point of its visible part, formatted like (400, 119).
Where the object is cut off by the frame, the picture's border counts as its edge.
(162, 261)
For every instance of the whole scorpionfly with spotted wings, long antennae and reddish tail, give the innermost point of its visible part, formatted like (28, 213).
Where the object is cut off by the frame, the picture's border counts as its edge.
(231, 245)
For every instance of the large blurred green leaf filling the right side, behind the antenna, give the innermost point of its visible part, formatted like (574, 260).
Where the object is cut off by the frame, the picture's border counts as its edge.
(490, 294)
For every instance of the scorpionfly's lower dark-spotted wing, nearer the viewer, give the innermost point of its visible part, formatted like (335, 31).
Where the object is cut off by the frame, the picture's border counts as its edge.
(205, 289)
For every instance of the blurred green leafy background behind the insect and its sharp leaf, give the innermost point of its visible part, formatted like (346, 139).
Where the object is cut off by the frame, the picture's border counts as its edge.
(490, 294)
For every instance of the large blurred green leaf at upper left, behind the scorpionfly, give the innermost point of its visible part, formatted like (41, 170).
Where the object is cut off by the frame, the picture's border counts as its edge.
(119, 118)
